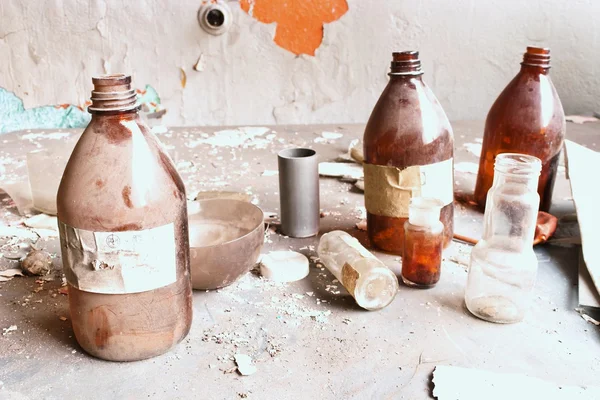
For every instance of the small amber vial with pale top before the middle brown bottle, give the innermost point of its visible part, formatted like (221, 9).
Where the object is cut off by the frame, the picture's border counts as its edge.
(423, 243)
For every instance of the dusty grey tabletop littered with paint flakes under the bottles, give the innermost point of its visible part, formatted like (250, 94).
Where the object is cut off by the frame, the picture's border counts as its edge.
(308, 339)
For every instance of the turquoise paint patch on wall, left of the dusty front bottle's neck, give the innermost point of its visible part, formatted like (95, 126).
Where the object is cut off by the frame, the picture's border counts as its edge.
(14, 116)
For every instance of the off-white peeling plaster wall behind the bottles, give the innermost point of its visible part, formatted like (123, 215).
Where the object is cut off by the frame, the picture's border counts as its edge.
(470, 50)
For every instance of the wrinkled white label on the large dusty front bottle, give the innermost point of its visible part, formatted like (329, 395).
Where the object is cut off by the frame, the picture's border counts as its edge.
(119, 262)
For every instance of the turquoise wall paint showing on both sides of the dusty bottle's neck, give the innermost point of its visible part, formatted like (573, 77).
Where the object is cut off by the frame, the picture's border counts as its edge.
(14, 116)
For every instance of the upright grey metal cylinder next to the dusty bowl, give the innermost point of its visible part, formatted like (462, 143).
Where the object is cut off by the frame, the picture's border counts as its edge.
(299, 192)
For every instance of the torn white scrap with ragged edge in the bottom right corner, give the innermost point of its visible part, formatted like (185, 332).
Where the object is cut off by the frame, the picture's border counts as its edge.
(455, 383)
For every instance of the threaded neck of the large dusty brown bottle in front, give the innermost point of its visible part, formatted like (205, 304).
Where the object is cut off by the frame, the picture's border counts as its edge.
(113, 94)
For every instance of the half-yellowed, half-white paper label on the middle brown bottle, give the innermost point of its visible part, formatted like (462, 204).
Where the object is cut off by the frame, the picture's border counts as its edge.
(388, 190)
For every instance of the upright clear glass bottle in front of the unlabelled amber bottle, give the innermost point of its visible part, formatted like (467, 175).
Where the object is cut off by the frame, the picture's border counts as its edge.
(503, 264)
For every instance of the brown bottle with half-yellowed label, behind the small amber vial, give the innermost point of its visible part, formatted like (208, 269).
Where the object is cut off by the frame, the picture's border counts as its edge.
(408, 149)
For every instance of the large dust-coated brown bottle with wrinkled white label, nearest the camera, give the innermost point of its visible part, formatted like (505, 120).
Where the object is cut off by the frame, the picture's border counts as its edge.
(124, 233)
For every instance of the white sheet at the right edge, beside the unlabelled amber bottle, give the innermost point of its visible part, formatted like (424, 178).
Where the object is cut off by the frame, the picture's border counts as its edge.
(580, 162)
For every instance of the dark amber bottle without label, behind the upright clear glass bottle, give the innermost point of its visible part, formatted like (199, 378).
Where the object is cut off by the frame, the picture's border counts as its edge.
(526, 118)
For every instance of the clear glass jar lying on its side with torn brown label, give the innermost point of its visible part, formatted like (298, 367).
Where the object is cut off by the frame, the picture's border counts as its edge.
(367, 279)
